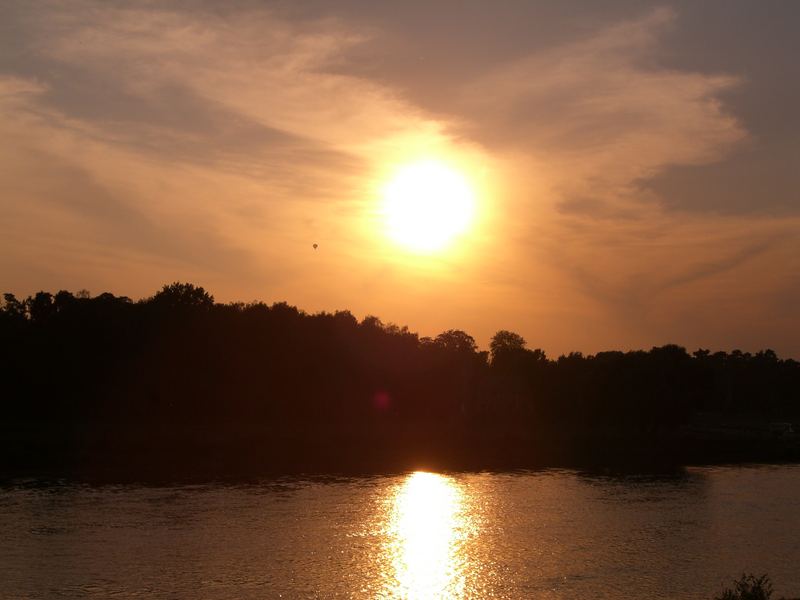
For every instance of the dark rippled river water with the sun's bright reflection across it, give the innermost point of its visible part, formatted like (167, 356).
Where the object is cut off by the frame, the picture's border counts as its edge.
(551, 534)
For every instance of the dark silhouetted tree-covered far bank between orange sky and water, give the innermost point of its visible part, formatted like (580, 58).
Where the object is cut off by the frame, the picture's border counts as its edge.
(177, 382)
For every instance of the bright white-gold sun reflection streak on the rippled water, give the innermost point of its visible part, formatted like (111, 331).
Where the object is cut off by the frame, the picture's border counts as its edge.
(426, 534)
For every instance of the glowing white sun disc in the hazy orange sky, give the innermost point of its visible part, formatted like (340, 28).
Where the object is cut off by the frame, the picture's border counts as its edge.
(426, 205)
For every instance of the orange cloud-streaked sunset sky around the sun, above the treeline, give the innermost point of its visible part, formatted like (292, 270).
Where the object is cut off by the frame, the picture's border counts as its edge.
(635, 165)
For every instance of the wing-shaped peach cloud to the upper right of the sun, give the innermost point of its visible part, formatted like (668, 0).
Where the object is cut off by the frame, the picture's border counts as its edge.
(599, 116)
